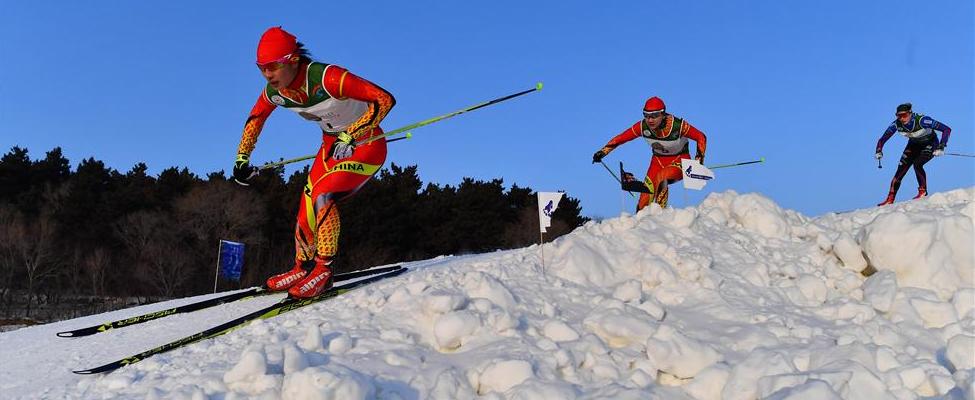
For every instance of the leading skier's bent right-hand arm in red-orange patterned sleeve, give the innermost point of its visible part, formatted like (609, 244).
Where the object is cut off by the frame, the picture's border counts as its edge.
(343, 84)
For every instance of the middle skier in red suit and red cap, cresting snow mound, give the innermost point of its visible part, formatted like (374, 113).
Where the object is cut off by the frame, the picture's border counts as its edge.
(667, 136)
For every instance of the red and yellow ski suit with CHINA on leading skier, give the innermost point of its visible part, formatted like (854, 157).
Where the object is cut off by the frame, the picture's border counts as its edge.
(338, 101)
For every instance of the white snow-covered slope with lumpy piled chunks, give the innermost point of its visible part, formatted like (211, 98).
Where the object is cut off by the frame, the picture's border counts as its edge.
(733, 299)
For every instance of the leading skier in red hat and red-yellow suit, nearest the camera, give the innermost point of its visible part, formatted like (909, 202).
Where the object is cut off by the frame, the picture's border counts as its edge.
(347, 108)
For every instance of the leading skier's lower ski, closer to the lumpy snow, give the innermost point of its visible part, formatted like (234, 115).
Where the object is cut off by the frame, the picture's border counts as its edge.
(285, 305)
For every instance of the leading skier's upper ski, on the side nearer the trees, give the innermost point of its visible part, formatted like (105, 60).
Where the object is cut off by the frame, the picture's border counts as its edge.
(186, 308)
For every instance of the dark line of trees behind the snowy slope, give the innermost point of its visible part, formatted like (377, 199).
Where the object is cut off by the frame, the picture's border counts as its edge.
(100, 233)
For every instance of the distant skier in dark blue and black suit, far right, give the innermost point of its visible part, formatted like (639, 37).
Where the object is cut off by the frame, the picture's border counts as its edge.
(922, 146)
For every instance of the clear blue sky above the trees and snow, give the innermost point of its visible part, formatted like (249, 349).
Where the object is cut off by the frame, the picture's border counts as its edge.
(810, 86)
